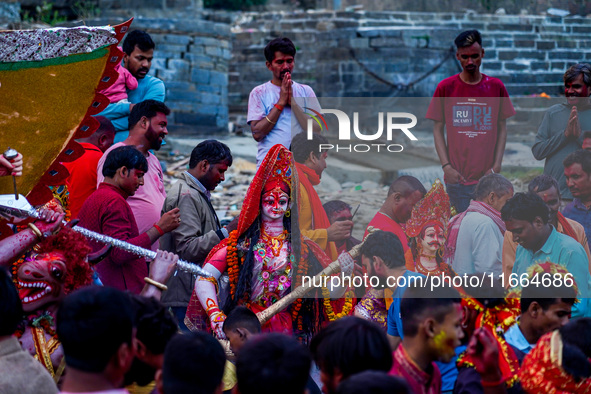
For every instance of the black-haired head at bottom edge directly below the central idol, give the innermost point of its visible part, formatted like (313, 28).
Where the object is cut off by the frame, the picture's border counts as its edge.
(272, 363)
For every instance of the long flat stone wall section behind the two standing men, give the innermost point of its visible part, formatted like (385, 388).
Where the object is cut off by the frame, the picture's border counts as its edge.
(383, 54)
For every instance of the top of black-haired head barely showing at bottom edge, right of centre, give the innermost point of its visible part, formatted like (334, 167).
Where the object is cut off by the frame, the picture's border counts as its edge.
(373, 382)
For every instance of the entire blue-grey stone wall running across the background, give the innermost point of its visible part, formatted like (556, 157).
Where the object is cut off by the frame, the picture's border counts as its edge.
(210, 61)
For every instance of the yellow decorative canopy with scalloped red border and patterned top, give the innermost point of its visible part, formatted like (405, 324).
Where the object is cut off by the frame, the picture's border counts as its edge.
(49, 83)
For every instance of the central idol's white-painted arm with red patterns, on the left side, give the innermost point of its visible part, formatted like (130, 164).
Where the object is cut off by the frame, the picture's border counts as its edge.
(206, 290)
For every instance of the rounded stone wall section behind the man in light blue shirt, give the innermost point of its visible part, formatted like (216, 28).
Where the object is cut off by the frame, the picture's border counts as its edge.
(191, 57)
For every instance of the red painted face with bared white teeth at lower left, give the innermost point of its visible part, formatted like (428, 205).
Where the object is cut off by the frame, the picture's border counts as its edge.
(41, 280)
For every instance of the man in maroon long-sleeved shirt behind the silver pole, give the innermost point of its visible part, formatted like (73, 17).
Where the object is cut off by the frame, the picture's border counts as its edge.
(107, 212)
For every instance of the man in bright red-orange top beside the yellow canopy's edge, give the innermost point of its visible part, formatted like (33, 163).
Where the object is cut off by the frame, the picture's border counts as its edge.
(82, 179)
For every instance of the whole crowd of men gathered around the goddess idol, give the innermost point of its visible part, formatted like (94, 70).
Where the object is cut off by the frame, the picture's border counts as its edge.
(128, 329)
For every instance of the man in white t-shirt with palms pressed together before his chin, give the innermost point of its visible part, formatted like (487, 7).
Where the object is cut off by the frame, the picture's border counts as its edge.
(270, 105)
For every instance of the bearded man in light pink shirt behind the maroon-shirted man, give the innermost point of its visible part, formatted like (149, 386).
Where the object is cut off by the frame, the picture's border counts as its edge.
(147, 123)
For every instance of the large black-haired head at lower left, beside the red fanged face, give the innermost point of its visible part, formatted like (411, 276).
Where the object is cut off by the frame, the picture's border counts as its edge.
(92, 323)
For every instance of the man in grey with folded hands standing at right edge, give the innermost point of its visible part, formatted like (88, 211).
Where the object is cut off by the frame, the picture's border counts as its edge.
(560, 132)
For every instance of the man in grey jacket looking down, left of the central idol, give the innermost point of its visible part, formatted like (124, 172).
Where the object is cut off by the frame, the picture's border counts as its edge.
(200, 229)
